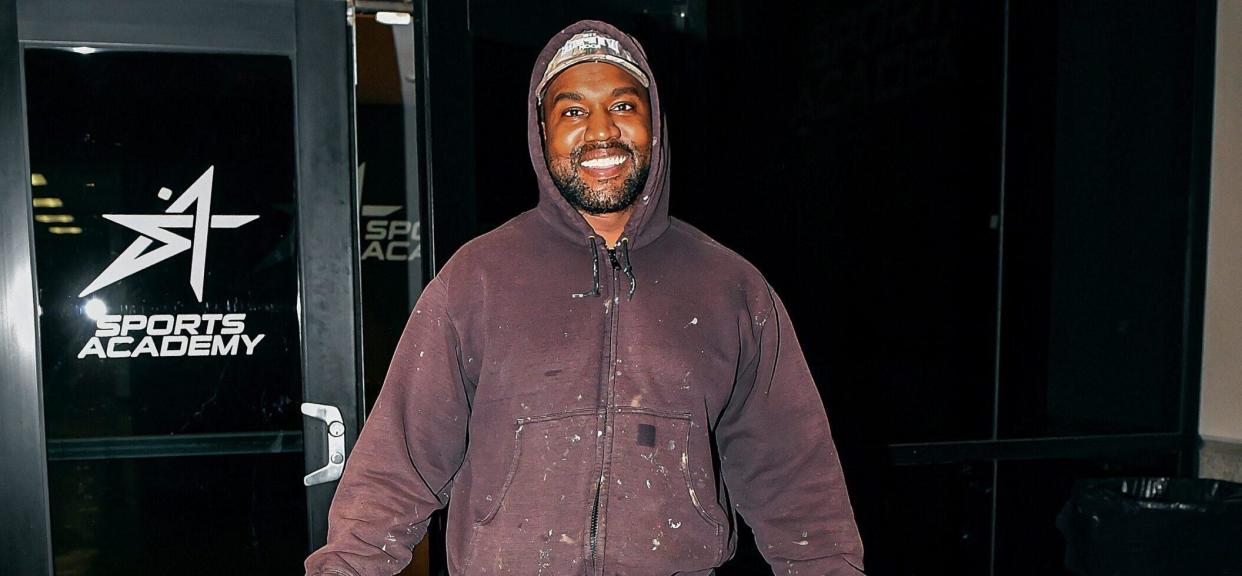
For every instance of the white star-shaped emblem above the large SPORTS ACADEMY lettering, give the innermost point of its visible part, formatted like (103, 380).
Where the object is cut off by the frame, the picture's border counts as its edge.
(160, 228)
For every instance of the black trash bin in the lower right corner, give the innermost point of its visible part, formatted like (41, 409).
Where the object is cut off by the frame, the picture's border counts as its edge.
(1153, 527)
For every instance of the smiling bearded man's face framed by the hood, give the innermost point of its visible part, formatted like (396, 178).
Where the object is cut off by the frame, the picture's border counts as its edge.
(598, 137)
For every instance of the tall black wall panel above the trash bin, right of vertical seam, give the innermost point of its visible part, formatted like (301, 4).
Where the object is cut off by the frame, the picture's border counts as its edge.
(1097, 222)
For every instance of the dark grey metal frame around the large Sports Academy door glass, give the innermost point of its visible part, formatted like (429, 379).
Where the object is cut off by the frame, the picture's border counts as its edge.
(316, 35)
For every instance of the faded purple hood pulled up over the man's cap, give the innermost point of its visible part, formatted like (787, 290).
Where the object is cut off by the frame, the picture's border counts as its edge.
(650, 218)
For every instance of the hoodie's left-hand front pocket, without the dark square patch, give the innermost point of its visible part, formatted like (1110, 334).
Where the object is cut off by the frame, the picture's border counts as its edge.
(541, 513)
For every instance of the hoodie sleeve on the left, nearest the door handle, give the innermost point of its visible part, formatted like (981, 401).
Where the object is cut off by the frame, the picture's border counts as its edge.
(412, 446)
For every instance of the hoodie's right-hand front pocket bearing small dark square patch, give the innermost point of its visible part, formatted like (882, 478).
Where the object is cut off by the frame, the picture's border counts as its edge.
(661, 496)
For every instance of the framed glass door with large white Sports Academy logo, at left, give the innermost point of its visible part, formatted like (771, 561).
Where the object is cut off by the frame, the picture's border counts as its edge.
(189, 191)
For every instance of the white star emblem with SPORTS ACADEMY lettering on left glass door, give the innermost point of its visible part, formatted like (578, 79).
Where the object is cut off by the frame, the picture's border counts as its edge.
(163, 336)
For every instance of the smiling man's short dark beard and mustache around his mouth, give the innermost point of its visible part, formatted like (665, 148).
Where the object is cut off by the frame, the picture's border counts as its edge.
(613, 197)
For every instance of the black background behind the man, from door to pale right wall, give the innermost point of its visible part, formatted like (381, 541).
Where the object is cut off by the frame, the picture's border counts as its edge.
(986, 217)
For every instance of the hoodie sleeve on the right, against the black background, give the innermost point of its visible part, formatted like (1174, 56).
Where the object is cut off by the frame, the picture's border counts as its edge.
(781, 465)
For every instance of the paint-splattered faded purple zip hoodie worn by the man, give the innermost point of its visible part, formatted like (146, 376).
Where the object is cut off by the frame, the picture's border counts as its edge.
(587, 416)
